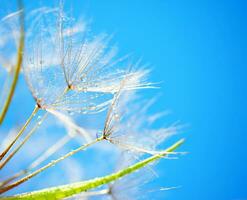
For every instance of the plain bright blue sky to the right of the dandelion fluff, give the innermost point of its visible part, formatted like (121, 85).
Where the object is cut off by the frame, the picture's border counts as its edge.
(198, 50)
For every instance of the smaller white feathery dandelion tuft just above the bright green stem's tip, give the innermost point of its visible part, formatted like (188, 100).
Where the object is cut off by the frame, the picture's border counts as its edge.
(131, 129)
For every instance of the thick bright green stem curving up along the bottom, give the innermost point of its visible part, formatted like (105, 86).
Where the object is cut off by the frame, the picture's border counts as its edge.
(76, 188)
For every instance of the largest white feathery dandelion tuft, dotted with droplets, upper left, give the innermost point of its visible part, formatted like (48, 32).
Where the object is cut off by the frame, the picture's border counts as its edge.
(68, 71)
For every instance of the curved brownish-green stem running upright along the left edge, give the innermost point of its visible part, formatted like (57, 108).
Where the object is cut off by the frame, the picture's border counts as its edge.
(17, 68)
